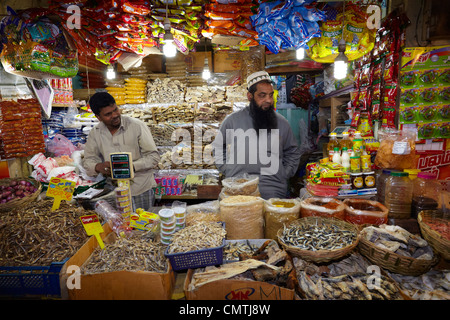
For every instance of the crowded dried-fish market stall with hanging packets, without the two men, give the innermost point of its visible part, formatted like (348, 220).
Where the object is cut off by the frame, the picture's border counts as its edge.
(369, 201)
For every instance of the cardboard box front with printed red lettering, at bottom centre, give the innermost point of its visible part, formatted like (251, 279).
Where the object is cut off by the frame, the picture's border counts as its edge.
(236, 290)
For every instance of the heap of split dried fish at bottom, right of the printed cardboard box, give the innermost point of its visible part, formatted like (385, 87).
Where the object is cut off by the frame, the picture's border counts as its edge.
(356, 286)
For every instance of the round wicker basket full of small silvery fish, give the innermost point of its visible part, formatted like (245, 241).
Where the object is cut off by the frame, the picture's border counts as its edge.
(318, 239)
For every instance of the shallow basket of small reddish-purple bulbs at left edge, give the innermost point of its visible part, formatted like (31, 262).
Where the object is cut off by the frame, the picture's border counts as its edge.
(18, 192)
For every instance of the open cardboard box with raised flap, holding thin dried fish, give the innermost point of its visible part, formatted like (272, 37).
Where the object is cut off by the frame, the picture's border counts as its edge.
(120, 285)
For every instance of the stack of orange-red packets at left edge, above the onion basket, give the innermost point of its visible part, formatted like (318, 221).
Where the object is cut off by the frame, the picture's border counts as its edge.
(21, 128)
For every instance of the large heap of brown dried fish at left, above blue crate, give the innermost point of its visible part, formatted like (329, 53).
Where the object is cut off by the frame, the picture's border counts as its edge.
(36, 236)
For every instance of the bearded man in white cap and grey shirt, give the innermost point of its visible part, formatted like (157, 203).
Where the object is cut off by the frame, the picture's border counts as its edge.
(258, 141)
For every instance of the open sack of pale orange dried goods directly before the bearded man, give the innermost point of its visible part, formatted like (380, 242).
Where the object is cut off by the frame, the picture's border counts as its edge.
(243, 217)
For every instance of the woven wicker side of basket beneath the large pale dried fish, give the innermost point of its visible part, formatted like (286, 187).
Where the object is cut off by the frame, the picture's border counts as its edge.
(392, 261)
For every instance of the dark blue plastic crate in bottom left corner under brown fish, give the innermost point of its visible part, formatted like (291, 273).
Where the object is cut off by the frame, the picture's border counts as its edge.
(31, 280)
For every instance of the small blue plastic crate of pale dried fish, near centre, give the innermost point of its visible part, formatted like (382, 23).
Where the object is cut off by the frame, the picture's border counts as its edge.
(197, 258)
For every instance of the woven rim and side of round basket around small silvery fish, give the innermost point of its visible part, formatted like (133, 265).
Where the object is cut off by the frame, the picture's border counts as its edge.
(320, 256)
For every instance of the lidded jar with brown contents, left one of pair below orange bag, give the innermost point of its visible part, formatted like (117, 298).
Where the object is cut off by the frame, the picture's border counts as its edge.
(398, 195)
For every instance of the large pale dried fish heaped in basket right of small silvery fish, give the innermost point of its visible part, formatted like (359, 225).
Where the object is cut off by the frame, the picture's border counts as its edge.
(398, 240)
